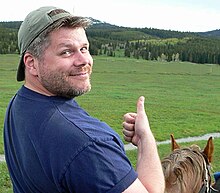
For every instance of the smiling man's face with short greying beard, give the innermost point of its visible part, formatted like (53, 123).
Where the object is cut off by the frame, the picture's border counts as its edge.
(67, 64)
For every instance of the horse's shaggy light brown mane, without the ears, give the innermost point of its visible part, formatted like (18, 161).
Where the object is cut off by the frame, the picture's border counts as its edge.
(184, 170)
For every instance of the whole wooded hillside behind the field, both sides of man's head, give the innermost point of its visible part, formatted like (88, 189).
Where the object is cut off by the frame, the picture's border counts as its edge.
(146, 43)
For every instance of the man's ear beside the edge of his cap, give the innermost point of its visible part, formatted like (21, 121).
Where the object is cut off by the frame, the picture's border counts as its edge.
(30, 64)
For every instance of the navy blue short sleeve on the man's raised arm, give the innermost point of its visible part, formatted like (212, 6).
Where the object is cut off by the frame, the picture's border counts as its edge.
(100, 167)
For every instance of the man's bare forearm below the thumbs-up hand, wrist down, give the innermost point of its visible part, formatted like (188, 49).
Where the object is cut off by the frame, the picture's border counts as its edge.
(149, 166)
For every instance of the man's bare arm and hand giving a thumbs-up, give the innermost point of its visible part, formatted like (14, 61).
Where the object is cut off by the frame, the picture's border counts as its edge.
(136, 130)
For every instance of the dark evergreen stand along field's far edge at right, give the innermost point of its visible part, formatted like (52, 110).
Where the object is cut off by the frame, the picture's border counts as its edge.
(196, 50)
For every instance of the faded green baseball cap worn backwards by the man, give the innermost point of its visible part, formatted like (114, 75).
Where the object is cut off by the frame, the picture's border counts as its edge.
(32, 26)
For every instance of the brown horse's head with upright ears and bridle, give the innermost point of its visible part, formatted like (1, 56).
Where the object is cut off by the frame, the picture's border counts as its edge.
(187, 170)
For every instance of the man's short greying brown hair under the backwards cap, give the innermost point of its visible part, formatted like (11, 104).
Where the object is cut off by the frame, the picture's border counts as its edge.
(41, 43)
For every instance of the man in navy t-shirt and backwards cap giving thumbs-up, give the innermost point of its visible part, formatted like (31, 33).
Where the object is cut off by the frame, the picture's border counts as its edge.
(51, 144)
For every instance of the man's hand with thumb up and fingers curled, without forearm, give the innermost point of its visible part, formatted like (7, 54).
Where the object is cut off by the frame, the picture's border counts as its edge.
(136, 125)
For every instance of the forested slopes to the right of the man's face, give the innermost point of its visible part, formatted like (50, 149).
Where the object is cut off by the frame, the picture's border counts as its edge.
(154, 44)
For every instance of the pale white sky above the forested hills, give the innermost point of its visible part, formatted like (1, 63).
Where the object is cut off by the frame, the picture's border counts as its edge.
(179, 15)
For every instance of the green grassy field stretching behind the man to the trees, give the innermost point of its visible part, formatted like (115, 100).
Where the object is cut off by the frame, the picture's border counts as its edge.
(181, 98)
